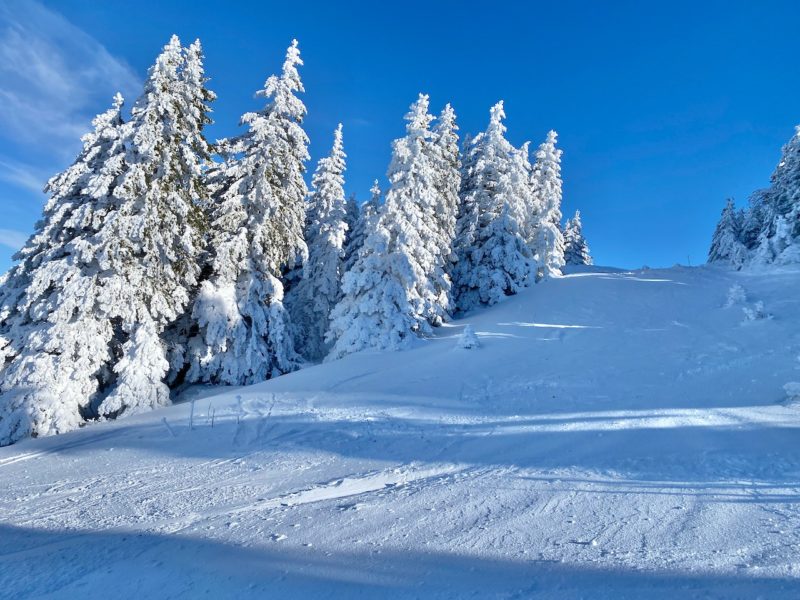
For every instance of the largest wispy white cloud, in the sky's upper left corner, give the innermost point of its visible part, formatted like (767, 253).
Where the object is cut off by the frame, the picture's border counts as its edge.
(53, 76)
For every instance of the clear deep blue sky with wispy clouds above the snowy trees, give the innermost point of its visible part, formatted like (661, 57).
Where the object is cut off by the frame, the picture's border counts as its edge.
(663, 109)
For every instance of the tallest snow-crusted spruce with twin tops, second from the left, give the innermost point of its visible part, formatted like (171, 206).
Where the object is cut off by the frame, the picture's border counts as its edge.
(153, 241)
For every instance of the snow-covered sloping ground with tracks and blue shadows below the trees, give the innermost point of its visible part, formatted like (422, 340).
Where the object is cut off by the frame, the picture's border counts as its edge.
(616, 435)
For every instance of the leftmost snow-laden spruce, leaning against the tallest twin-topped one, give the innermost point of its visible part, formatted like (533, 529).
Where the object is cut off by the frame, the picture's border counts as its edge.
(56, 347)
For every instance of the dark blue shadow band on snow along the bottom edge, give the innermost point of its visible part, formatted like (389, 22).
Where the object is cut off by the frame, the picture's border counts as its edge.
(145, 565)
